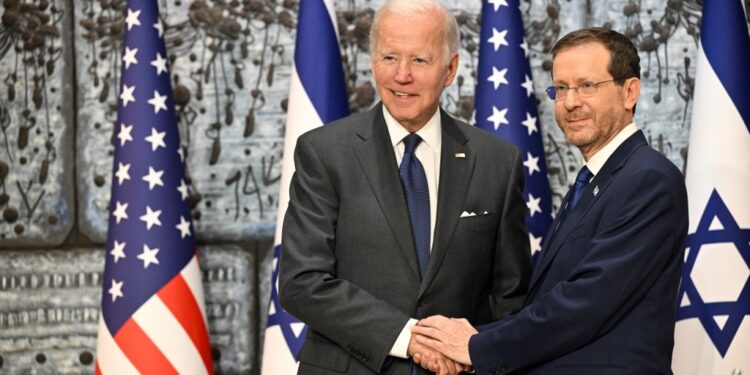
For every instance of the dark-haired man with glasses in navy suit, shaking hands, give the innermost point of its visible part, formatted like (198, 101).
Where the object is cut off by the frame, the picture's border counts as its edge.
(603, 295)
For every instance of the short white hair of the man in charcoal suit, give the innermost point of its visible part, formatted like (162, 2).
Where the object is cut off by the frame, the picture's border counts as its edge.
(412, 7)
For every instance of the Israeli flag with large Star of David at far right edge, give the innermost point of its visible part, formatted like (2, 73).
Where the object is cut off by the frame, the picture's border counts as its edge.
(713, 324)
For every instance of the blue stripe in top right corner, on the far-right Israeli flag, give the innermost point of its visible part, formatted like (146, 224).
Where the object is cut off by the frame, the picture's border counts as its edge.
(726, 43)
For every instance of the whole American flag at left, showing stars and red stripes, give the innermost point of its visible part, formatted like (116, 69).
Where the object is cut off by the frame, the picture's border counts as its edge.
(152, 319)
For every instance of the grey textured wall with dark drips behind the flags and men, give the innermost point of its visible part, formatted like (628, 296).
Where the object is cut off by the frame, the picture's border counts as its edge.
(230, 60)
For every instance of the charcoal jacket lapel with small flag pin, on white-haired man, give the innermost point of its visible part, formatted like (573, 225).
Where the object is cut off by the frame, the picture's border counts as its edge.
(455, 176)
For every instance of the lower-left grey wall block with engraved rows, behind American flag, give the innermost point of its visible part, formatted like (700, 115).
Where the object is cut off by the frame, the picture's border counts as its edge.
(49, 309)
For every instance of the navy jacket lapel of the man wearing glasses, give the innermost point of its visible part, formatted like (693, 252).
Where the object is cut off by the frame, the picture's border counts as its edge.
(600, 183)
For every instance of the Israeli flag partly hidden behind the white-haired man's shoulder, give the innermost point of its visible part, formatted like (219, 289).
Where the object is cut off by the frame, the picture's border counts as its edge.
(317, 95)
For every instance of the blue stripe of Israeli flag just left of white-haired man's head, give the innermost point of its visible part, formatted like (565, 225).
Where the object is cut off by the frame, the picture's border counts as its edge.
(318, 61)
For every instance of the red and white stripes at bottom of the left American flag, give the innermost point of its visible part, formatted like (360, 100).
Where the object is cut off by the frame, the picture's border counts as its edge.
(167, 335)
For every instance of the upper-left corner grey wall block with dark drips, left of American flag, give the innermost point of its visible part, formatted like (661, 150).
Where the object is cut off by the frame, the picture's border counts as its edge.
(36, 123)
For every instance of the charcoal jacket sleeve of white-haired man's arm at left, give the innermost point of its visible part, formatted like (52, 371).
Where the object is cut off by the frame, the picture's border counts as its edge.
(309, 289)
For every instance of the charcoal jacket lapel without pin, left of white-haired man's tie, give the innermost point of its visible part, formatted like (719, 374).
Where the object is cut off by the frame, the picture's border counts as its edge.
(374, 151)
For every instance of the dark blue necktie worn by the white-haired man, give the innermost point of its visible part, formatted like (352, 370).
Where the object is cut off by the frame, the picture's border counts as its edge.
(414, 182)
